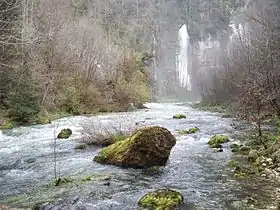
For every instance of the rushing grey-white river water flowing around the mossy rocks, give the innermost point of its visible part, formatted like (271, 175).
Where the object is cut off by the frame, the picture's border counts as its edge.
(26, 163)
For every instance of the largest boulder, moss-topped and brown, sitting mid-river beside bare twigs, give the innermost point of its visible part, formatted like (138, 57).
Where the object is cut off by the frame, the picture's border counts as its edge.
(148, 147)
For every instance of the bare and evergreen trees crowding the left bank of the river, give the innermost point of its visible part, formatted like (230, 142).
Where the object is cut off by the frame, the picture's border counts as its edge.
(70, 57)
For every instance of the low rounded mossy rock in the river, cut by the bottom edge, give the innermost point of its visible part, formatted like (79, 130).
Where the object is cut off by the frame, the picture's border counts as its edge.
(161, 199)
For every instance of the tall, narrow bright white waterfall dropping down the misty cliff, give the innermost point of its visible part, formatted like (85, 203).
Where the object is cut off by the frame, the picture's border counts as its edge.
(182, 65)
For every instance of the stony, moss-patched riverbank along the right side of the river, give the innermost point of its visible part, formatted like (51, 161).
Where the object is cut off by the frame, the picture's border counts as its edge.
(256, 158)
